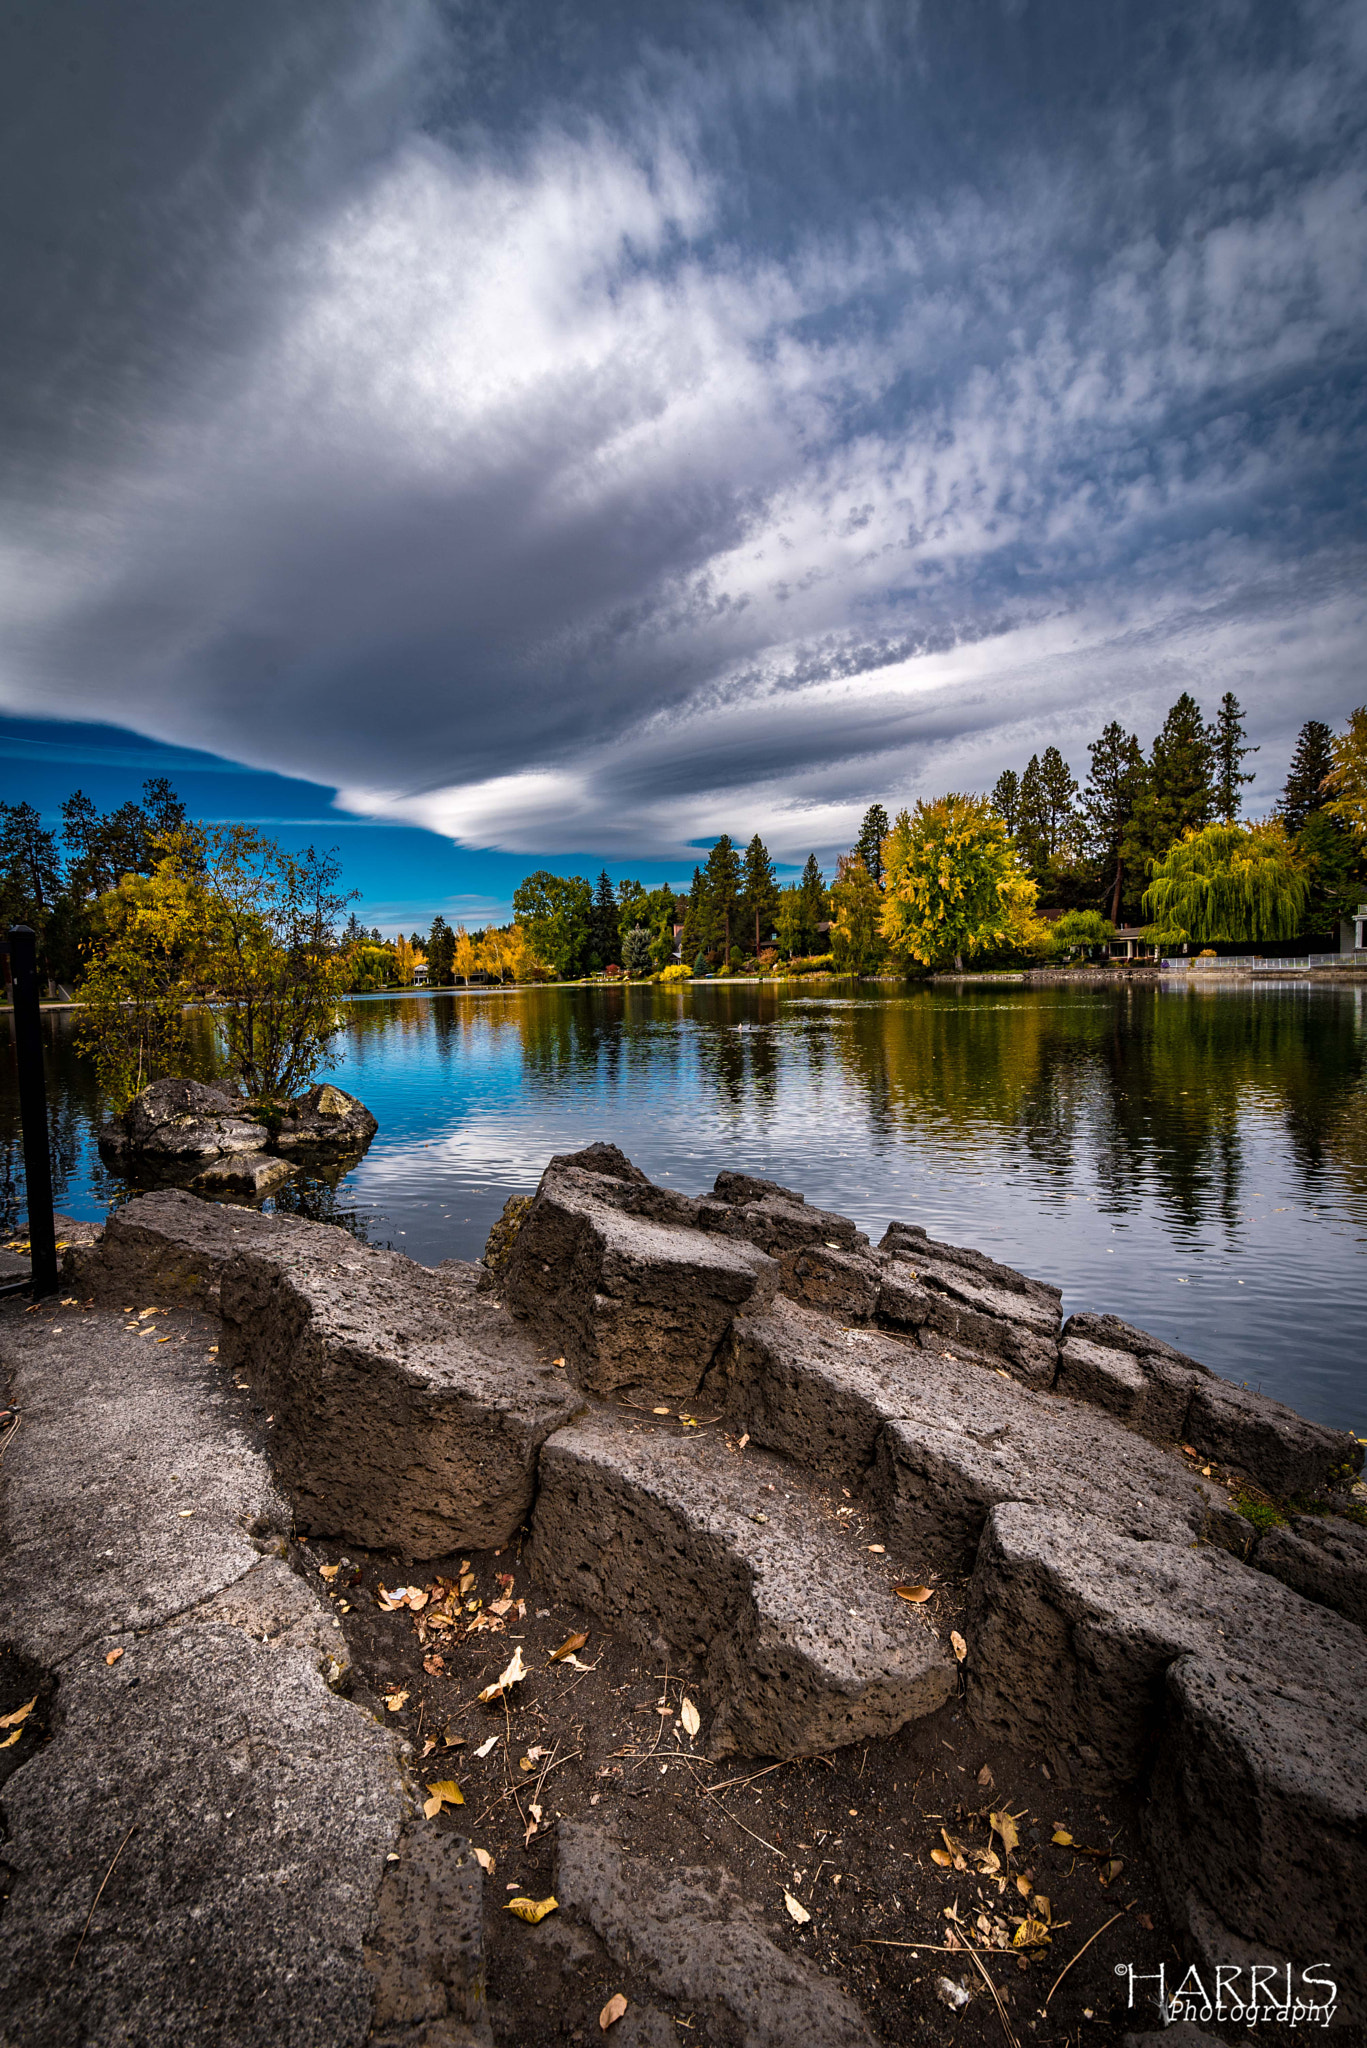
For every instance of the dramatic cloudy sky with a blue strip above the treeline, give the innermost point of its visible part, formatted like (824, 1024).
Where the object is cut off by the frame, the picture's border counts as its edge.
(552, 433)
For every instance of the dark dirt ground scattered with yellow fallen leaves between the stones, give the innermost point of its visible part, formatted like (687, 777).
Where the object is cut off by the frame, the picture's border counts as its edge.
(850, 1838)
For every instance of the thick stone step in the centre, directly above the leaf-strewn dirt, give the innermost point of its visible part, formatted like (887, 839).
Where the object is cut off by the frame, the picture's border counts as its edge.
(741, 1566)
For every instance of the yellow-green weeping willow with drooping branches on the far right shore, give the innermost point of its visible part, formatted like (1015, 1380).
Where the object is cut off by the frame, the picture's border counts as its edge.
(1229, 884)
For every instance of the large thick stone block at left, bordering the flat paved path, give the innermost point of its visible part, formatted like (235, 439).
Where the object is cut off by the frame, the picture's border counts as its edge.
(405, 1406)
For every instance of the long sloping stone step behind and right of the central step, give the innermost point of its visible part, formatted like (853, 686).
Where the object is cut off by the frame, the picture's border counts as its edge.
(940, 1443)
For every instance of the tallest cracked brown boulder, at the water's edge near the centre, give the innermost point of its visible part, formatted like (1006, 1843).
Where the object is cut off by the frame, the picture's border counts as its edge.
(612, 1275)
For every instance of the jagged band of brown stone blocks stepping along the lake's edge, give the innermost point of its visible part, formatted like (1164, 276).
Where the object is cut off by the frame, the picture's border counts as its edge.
(724, 1428)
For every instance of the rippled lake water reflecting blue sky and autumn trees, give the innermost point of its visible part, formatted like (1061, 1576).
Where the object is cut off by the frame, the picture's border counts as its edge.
(1194, 1160)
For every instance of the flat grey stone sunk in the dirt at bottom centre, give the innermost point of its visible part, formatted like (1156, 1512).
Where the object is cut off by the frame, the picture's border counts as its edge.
(696, 1938)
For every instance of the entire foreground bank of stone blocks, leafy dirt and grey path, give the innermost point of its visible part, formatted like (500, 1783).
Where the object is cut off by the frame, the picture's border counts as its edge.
(681, 1443)
